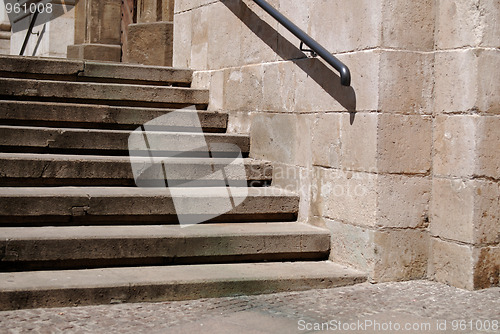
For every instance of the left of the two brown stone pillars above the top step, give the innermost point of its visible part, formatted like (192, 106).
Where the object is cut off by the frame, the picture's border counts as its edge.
(97, 30)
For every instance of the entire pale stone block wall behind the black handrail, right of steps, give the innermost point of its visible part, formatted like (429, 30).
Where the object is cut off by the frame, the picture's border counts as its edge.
(403, 167)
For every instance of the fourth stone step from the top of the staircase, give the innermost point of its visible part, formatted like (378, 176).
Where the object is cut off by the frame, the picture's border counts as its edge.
(110, 142)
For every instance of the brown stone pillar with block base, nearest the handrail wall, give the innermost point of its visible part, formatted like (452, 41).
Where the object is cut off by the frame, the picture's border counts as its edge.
(150, 40)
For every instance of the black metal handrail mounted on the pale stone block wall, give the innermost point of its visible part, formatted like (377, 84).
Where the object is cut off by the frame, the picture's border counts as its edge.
(345, 74)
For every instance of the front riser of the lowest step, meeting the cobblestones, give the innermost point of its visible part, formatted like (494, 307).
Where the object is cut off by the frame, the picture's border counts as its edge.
(158, 293)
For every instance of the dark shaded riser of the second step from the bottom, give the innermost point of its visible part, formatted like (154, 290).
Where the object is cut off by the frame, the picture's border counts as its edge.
(23, 255)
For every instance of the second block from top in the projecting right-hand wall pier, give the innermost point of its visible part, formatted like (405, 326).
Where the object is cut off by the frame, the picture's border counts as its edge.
(467, 81)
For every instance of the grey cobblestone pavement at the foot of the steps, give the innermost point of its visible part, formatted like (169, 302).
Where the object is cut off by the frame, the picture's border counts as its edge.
(426, 307)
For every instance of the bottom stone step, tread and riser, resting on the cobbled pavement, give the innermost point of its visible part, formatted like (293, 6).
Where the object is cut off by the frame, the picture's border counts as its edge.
(153, 284)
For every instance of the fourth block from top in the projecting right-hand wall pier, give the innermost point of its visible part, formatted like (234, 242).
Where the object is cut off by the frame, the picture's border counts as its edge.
(466, 210)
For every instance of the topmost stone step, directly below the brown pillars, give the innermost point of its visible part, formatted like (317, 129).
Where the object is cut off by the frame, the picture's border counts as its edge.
(88, 70)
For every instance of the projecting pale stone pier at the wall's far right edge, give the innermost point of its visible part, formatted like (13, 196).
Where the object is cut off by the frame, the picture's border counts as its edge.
(465, 221)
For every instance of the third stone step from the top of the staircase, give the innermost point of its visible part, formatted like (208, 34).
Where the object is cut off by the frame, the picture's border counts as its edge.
(66, 115)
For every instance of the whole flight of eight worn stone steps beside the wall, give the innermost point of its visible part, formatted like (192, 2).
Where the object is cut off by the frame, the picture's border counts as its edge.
(76, 230)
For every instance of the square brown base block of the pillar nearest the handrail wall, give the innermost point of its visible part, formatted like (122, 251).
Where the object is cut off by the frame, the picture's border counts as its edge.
(151, 43)
